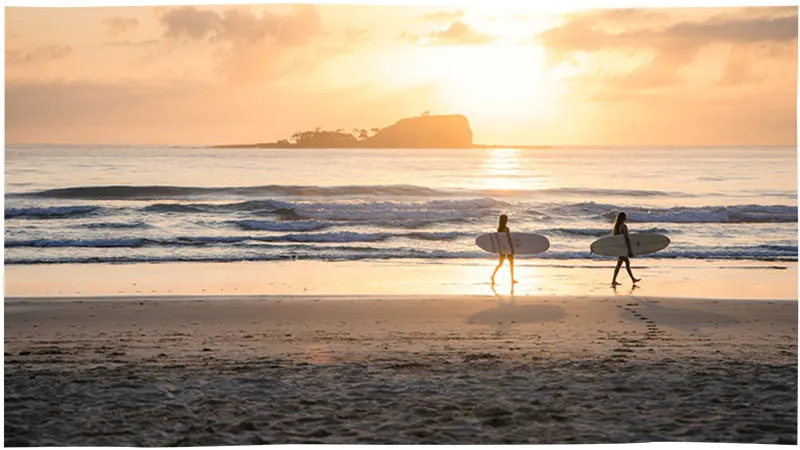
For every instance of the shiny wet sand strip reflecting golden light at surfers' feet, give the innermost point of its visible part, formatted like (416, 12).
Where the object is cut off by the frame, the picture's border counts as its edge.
(673, 279)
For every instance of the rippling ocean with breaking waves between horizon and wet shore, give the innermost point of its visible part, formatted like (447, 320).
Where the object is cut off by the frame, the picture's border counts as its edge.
(85, 204)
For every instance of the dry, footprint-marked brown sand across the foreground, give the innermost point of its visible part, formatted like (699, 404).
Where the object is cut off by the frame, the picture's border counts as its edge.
(165, 371)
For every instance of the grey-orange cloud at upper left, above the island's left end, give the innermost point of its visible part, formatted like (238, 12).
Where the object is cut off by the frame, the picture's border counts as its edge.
(250, 49)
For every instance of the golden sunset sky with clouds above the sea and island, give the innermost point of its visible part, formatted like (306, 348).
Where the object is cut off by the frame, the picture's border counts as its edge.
(230, 74)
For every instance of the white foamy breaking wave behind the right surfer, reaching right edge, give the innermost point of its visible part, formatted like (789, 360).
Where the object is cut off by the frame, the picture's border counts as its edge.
(680, 214)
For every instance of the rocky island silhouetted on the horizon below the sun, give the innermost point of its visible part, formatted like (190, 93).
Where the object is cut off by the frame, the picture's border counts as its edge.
(424, 131)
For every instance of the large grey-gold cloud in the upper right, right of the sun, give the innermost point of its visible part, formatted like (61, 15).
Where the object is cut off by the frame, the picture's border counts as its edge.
(672, 45)
